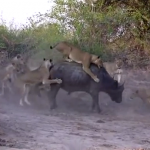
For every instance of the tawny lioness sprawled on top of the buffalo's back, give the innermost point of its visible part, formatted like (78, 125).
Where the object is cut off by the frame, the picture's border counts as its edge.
(71, 53)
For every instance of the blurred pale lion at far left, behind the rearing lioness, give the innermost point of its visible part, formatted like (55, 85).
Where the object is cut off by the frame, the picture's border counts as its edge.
(7, 74)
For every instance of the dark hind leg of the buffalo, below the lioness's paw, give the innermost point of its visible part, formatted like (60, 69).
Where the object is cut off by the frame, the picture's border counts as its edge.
(52, 96)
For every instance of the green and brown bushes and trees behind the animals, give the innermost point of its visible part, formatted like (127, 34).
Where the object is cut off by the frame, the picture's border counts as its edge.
(110, 28)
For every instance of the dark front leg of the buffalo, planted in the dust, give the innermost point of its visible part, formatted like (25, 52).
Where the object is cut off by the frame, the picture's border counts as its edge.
(95, 103)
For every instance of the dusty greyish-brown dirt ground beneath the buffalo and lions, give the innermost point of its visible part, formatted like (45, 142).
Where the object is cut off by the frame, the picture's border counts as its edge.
(72, 126)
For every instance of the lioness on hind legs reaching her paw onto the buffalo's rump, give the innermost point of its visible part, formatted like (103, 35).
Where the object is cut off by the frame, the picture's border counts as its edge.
(34, 77)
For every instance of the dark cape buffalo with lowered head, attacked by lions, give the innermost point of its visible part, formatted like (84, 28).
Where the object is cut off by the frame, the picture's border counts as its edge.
(75, 79)
